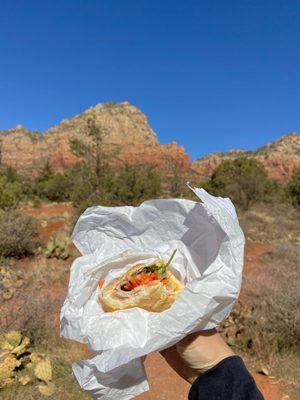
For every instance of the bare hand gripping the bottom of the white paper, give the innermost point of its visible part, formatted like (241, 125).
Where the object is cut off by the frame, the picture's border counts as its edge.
(197, 353)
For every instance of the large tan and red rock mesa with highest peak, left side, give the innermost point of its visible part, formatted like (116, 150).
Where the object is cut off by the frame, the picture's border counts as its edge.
(128, 130)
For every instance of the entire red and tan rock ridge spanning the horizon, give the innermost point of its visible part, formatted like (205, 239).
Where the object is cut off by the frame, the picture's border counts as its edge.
(128, 130)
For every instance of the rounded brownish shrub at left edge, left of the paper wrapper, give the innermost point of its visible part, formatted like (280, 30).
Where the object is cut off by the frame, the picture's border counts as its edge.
(18, 235)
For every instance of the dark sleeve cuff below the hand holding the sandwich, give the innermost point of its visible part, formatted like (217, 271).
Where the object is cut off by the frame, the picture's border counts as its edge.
(228, 380)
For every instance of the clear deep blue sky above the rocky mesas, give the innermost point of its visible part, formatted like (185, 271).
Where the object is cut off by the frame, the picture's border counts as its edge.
(211, 75)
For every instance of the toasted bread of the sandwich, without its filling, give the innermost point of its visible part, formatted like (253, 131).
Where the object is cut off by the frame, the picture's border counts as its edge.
(154, 296)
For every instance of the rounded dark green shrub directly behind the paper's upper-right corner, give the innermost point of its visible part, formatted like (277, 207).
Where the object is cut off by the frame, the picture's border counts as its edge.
(245, 181)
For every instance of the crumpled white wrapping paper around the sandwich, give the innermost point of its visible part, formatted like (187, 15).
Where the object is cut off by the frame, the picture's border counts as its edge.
(209, 261)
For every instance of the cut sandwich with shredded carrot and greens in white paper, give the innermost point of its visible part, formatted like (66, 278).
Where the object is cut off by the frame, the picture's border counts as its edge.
(151, 287)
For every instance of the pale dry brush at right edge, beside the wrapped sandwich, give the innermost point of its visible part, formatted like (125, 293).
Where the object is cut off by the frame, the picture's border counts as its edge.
(276, 300)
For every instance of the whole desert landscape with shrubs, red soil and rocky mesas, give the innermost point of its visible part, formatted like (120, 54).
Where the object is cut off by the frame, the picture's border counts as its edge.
(110, 155)
